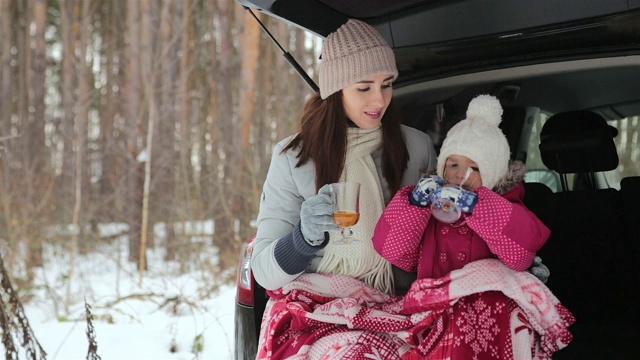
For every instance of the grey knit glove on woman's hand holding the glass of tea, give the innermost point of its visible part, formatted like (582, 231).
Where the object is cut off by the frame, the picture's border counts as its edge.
(316, 216)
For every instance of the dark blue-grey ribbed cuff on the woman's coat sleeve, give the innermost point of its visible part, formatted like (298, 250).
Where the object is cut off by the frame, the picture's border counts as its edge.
(293, 253)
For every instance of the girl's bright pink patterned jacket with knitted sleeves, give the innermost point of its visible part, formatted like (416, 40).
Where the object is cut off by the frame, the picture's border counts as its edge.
(500, 227)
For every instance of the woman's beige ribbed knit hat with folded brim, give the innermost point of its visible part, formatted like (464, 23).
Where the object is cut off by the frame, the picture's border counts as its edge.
(352, 53)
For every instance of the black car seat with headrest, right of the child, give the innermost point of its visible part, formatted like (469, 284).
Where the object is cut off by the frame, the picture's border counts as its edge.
(592, 271)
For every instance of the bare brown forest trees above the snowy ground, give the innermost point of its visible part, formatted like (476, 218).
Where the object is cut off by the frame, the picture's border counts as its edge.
(139, 112)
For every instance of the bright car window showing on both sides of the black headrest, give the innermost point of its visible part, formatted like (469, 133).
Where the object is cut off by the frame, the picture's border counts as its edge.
(627, 143)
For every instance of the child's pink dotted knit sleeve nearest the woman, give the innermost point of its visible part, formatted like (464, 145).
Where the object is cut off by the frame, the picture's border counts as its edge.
(398, 234)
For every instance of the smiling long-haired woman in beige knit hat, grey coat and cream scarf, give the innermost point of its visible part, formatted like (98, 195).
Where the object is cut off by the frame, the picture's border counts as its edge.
(349, 132)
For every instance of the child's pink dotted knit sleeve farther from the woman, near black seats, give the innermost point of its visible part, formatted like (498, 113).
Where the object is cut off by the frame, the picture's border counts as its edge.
(511, 231)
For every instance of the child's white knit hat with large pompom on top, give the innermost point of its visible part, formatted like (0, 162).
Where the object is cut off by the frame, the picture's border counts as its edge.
(479, 138)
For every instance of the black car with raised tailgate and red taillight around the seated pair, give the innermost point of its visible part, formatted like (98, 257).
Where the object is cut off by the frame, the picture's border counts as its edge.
(540, 58)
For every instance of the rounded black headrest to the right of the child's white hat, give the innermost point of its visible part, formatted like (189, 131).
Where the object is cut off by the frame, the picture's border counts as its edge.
(578, 142)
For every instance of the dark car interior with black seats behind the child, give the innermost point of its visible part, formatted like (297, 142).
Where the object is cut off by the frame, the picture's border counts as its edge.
(595, 233)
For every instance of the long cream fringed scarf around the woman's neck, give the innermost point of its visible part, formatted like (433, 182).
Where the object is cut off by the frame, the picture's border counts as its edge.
(360, 260)
